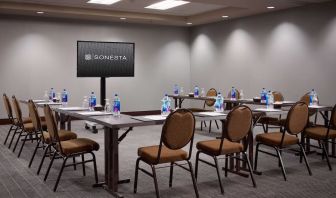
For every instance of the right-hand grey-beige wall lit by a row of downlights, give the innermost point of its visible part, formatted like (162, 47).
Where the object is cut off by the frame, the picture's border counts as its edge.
(291, 51)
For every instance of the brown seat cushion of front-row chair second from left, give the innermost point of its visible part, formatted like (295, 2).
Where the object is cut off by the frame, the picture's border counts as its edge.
(212, 146)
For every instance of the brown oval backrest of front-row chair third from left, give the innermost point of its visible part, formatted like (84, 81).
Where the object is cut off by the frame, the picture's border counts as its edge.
(297, 118)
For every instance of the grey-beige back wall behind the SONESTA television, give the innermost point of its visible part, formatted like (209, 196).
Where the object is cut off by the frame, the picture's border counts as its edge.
(38, 54)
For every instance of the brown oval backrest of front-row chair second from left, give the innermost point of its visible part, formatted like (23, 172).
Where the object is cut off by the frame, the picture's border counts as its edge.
(238, 123)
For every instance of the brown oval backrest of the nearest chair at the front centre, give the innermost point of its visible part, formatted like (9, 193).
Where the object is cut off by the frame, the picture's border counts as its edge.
(178, 129)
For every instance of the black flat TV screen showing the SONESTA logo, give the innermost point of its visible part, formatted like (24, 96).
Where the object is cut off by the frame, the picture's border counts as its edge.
(105, 59)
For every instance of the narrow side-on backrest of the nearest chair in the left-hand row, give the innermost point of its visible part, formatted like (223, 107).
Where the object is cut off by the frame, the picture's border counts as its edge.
(51, 125)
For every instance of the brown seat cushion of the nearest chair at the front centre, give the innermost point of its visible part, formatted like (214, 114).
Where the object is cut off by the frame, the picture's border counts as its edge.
(149, 154)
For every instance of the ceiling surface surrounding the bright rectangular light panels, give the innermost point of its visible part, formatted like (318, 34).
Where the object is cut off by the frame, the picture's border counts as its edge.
(197, 12)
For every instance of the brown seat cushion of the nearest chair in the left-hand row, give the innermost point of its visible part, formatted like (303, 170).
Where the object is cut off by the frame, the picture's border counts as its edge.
(78, 145)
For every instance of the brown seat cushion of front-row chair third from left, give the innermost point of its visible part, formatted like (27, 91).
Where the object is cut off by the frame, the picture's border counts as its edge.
(274, 139)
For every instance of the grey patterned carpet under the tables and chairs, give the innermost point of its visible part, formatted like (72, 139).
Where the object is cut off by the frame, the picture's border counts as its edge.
(17, 180)
